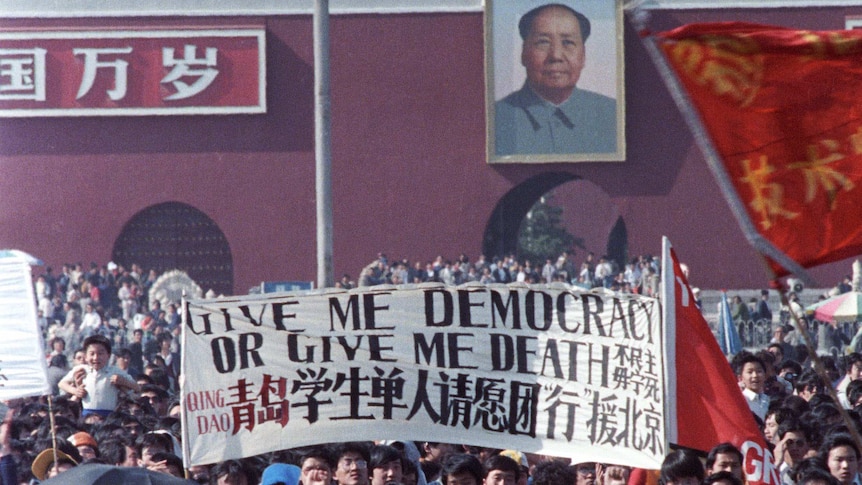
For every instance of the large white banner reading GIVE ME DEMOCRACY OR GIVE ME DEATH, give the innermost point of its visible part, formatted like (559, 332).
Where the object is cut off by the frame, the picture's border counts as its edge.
(545, 369)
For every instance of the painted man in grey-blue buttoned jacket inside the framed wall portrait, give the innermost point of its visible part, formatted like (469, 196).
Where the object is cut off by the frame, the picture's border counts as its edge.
(550, 114)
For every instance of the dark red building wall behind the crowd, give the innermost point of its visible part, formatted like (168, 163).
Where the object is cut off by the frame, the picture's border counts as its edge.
(409, 171)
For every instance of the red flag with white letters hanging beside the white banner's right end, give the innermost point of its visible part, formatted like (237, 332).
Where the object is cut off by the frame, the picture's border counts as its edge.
(710, 407)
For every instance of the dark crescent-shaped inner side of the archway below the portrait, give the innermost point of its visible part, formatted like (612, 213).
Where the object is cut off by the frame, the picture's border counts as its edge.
(501, 233)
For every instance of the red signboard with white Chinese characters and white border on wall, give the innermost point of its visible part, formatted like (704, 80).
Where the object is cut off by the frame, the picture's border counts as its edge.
(132, 72)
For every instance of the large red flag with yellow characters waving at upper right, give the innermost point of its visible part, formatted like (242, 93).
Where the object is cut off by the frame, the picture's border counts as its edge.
(783, 111)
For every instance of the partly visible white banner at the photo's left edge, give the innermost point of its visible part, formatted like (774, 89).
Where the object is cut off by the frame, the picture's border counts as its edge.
(23, 370)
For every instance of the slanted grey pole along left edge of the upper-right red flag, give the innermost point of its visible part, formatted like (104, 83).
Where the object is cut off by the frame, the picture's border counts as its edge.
(713, 159)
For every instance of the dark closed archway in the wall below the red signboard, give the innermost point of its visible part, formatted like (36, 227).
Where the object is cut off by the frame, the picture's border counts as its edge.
(173, 235)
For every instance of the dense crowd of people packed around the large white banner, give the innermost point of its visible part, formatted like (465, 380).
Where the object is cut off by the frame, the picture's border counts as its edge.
(117, 401)
